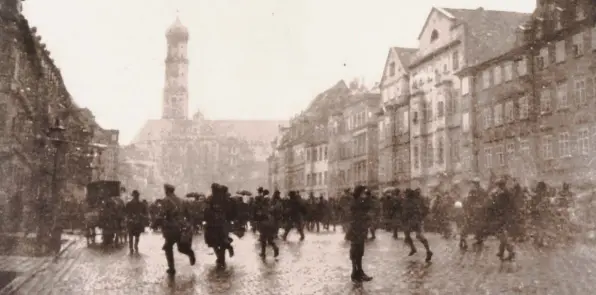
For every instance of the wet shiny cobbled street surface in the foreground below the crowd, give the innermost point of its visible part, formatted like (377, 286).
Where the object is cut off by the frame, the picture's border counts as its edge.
(319, 265)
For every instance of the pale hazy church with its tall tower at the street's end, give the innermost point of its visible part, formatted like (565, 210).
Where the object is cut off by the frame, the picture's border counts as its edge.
(193, 152)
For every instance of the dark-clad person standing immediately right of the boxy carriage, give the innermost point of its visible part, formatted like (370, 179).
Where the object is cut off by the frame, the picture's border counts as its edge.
(135, 218)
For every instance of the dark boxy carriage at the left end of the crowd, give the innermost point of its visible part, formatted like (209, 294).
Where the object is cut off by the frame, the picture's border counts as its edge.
(105, 210)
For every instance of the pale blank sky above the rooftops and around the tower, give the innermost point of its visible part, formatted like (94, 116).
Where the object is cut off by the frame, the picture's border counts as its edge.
(249, 59)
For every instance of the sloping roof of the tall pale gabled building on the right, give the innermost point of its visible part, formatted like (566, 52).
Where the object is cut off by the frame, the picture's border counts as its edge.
(491, 33)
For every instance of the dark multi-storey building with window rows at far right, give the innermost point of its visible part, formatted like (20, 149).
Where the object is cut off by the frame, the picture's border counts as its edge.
(535, 101)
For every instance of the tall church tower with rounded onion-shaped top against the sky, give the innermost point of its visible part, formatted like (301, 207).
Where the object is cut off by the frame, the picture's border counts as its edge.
(175, 96)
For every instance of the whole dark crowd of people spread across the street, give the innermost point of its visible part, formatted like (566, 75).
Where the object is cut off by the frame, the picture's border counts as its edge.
(504, 210)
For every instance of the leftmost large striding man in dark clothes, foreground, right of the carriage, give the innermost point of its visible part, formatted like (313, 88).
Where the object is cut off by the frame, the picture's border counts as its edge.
(174, 221)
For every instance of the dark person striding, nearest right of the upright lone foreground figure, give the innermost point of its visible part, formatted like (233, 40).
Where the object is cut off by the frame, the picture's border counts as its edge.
(415, 210)
